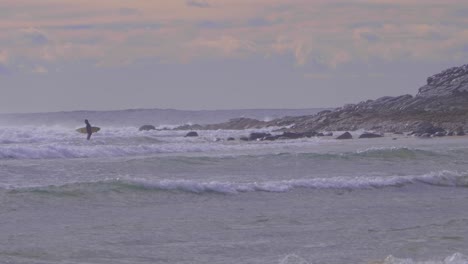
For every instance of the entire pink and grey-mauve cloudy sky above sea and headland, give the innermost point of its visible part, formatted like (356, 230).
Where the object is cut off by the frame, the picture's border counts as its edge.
(58, 55)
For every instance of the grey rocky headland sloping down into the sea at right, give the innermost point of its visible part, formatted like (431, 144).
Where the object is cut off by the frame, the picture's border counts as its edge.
(439, 108)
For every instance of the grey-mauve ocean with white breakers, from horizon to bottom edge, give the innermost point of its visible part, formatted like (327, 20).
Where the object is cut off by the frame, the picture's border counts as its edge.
(137, 197)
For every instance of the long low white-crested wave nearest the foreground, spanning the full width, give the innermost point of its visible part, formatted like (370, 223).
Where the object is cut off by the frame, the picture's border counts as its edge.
(442, 178)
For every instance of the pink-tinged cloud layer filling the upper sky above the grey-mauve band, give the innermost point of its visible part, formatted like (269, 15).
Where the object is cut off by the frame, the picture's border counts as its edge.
(329, 32)
